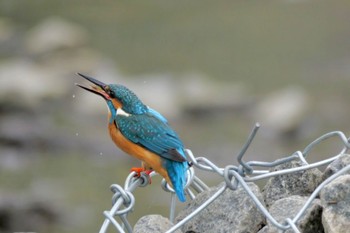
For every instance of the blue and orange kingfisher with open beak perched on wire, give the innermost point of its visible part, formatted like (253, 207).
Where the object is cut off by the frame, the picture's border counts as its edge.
(143, 133)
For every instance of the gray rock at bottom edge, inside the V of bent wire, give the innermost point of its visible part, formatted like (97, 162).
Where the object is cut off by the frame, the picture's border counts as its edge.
(288, 207)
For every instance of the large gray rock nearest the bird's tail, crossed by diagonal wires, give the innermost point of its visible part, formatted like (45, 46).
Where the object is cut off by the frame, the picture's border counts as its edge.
(233, 211)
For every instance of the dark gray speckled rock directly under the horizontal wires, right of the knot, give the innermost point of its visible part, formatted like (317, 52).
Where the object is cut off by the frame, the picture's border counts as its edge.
(301, 183)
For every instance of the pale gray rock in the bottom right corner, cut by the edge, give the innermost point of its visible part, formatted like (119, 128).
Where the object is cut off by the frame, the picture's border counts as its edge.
(335, 198)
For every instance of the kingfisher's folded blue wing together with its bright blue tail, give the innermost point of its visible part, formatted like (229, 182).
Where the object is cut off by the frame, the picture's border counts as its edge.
(155, 135)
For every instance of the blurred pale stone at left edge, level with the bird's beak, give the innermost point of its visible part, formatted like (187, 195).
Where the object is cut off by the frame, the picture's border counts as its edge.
(30, 83)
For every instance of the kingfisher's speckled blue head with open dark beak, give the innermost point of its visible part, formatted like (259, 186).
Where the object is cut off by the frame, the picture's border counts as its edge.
(116, 96)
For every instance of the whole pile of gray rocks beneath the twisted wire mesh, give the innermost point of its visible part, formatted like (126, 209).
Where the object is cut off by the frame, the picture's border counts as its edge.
(283, 196)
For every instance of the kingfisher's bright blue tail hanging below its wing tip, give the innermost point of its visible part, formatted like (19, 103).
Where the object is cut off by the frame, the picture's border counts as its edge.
(177, 172)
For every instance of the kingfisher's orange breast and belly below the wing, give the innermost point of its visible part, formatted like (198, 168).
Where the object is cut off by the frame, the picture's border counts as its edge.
(150, 158)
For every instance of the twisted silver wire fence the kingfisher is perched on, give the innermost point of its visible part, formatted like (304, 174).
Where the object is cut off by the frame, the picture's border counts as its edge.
(123, 200)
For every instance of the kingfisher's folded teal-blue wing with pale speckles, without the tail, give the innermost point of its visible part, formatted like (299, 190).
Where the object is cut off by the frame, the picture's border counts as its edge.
(153, 134)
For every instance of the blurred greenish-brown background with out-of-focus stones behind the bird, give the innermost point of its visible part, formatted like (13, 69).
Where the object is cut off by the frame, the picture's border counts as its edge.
(213, 68)
